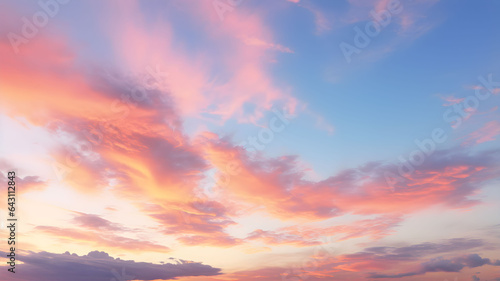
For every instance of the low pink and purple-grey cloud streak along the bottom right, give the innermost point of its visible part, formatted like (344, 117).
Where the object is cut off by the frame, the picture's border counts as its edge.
(360, 265)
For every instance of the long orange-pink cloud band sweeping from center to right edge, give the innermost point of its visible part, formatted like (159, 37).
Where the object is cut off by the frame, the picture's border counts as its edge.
(362, 190)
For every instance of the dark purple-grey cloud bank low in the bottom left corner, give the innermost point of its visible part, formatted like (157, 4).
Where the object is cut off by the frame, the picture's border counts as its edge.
(99, 266)
